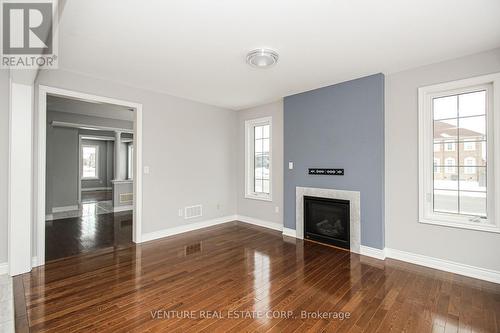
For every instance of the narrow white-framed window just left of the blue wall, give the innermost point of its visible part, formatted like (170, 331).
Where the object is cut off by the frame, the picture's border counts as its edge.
(258, 158)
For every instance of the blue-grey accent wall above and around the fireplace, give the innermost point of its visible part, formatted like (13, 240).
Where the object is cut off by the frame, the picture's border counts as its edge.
(340, 126)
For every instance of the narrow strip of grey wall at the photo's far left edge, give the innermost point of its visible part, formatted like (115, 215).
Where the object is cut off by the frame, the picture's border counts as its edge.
(4, 158)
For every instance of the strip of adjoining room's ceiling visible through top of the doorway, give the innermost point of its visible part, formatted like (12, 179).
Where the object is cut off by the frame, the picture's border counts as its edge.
(101, 110)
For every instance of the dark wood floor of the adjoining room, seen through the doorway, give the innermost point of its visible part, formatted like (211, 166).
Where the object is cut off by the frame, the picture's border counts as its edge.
(72, 236)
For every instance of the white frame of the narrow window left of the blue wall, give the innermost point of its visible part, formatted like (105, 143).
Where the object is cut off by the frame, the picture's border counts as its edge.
(249, 158)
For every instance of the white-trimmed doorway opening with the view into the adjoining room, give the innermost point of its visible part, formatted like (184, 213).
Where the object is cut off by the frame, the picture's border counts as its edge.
(89, 188)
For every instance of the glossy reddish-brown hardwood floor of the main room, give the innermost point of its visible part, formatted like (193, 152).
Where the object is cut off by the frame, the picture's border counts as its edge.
(235, 267)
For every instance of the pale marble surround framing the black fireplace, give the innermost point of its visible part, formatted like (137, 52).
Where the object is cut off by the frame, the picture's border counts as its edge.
(354, 210)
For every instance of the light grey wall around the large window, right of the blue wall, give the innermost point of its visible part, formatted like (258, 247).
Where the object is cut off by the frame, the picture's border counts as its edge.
(403, 231)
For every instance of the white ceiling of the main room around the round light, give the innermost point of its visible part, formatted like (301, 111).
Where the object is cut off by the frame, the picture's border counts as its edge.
(196, 48)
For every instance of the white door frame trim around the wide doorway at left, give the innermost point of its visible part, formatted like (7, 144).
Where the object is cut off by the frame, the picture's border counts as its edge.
(43, 91)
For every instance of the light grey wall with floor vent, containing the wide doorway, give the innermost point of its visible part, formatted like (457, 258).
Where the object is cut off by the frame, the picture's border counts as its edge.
(189, 147)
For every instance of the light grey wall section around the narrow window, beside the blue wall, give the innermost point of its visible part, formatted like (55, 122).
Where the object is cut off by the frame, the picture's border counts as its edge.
(258, 209)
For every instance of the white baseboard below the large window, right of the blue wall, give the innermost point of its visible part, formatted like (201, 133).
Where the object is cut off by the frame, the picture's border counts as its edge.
(445, 265)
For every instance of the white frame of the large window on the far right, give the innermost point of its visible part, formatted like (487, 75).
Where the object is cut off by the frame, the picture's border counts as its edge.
(490, 83)
